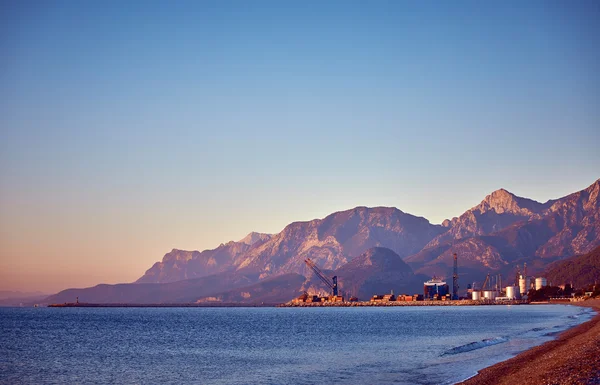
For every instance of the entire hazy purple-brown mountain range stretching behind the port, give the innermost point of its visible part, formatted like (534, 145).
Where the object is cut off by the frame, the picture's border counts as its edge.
(371, 250)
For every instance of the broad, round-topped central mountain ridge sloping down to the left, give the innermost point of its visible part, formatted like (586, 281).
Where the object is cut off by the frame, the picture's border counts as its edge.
(330, 242)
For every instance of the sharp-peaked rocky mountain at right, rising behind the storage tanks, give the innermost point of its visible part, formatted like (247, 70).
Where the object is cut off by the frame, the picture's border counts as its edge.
(505, 230)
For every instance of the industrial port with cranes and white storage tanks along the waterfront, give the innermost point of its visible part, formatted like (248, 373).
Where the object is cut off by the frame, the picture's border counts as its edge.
(436, 292)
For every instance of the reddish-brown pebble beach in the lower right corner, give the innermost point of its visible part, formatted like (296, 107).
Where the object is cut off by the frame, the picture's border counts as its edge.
(573, 358)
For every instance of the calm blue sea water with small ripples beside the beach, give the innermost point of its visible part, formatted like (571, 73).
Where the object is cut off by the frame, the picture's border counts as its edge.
(394, 345)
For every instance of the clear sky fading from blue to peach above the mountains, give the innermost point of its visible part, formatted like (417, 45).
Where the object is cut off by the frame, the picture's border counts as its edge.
(128, 129)
